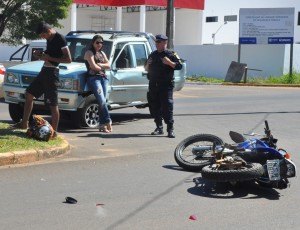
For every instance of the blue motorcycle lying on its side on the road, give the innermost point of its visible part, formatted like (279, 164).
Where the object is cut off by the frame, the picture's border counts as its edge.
(254, 158)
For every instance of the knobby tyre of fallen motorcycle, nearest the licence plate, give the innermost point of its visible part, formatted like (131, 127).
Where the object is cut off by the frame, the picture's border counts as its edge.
(249, 172)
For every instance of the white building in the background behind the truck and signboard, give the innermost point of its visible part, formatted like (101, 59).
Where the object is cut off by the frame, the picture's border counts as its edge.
(192, 27)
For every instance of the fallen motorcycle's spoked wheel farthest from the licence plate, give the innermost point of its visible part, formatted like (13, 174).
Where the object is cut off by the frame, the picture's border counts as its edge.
(195, 161)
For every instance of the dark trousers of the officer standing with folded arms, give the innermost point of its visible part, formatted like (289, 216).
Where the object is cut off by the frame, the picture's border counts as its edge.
(160, 99)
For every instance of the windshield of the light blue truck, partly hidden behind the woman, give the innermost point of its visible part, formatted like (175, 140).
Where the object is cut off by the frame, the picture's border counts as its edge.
(79, 46)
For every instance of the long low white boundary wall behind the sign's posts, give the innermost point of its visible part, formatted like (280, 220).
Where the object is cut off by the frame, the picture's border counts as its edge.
(214, 60)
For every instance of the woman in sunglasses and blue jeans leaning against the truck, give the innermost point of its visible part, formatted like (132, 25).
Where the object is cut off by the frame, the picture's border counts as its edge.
(96, 63)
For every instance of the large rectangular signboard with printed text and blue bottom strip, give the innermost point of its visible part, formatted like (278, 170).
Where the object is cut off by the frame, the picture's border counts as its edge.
(266, 25)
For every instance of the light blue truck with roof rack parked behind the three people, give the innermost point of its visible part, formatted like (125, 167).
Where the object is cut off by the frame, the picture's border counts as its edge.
(128, 83)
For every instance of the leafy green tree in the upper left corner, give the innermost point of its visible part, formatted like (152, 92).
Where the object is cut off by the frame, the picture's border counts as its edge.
(18, 18)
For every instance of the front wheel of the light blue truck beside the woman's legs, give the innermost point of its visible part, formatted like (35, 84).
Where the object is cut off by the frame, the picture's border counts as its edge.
(88, 116)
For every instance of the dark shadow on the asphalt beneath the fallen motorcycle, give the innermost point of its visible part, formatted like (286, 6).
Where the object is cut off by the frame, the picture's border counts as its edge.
(245, 190)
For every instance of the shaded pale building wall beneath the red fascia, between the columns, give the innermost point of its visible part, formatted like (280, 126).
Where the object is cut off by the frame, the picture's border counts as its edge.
(187, 30)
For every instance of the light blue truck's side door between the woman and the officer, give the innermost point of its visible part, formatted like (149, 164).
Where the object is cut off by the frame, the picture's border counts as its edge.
(128, 77)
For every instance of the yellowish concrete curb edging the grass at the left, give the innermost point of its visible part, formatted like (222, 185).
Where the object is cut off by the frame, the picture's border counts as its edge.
(28, 156)
